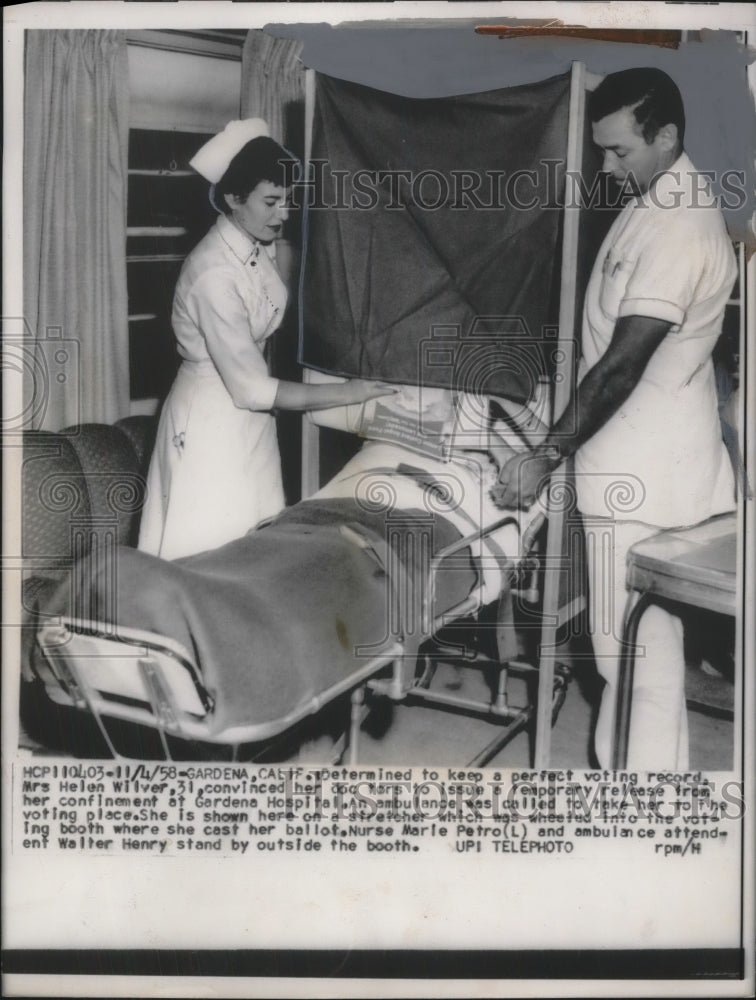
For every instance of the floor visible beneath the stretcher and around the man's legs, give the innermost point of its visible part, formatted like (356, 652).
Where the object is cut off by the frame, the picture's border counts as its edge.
(404, 733)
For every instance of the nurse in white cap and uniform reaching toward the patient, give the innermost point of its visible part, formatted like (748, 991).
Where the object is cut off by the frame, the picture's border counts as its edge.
(215, 471)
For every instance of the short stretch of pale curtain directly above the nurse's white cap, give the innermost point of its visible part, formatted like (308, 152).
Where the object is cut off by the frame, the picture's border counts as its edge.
(273, 86)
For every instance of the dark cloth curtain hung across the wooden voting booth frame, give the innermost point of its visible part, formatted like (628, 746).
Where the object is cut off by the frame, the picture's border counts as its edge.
(432, 235)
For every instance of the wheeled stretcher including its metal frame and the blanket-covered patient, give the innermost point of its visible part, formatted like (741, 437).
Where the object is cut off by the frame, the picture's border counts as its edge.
(418, 544)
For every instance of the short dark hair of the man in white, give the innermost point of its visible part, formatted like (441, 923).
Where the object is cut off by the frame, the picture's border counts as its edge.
(653, 97)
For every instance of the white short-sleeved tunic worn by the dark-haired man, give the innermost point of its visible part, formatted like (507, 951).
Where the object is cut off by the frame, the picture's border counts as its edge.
(660, 458)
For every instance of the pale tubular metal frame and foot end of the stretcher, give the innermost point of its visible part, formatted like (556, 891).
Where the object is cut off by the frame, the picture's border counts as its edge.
(146, 679)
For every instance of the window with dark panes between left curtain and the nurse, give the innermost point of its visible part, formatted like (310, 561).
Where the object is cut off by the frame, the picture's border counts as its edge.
(185, 87)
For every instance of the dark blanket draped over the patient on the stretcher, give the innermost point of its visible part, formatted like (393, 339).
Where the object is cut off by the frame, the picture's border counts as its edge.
(275, 618)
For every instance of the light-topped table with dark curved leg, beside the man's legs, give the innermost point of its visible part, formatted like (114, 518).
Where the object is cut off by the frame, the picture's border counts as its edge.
(695, 566)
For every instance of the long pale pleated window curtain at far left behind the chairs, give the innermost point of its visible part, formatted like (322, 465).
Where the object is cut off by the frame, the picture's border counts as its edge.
(76, 129)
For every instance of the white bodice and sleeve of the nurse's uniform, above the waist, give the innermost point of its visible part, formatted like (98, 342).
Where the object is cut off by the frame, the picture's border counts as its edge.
(229, 299)
